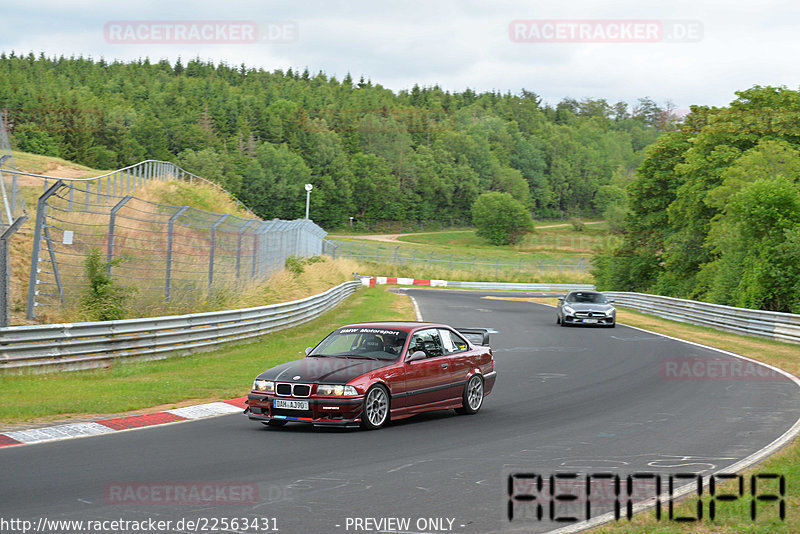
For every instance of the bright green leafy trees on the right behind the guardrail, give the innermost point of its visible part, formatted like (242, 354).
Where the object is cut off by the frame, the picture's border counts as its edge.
(715, 208)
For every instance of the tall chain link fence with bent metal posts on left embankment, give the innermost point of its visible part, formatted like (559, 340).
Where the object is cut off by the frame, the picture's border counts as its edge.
(173, 254)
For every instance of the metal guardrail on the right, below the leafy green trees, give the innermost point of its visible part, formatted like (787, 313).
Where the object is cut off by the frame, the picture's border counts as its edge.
(767, 324)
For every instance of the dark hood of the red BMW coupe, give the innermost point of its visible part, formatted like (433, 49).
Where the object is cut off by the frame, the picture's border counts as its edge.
(325, 370)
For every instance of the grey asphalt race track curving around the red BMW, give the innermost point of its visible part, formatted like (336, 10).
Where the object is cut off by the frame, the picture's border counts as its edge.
(585, 400)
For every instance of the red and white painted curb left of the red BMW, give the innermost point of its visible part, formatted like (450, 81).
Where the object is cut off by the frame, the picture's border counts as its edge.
(128, 422)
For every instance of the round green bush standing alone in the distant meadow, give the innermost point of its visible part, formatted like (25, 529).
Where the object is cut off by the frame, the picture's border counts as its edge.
(500, 218)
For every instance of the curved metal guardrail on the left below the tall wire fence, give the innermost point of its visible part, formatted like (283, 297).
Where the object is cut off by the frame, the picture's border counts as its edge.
(90, 345)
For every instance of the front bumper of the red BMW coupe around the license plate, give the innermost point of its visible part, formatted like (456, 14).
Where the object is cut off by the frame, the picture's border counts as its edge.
(323, 411)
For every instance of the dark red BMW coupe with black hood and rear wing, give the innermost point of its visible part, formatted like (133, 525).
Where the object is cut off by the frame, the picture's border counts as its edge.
(366, 374)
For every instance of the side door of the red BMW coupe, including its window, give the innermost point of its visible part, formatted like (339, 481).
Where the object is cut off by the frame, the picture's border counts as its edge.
(426, 380)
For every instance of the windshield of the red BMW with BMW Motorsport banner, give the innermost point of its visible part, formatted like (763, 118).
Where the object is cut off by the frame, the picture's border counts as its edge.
(384, 344)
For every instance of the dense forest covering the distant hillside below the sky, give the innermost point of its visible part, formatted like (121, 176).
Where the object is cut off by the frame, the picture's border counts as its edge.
(422, 155)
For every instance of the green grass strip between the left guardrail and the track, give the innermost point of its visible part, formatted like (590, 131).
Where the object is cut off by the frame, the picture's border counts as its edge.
(222, 374)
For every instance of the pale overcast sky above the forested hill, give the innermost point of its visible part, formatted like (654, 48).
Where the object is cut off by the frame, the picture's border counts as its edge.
(455, 43)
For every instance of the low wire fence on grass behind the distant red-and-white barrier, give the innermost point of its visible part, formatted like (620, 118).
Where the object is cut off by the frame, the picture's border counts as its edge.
(397, 255)
